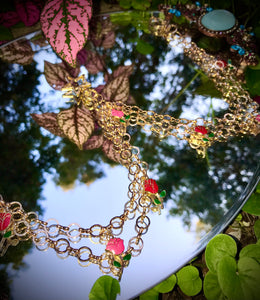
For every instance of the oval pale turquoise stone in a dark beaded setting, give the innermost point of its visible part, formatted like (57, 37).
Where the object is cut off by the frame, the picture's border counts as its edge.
(218, 20)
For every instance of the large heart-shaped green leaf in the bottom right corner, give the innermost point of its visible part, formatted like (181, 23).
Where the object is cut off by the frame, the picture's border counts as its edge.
(239, 281)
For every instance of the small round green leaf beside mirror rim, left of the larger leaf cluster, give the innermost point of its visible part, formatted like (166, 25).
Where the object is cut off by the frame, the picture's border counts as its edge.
(189, 280)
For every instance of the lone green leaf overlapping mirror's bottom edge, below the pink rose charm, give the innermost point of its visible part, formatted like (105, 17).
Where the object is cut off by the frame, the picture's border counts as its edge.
(105, 288)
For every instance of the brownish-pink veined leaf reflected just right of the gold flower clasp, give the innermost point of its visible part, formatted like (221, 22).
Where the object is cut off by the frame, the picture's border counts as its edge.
(117, 90)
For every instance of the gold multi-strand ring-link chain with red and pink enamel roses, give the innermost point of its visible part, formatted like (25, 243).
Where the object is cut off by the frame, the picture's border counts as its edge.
(143, 196)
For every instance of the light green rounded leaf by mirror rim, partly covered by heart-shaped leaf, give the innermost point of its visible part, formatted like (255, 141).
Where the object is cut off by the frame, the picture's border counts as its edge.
(220, 246)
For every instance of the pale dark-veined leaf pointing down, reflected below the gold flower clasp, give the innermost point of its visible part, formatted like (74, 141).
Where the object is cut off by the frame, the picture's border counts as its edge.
(77, 123)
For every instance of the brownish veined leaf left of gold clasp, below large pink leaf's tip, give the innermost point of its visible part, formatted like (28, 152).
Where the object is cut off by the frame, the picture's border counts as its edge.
(56, 75)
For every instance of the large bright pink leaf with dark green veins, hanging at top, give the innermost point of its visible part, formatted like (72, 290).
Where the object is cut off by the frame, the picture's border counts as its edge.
(65, 25)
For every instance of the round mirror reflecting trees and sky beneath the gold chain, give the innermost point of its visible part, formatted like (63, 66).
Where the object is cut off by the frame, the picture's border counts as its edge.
(43, 168)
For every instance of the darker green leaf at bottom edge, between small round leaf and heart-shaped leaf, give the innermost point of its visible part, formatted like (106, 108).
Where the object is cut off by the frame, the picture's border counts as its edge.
(211, 287)
